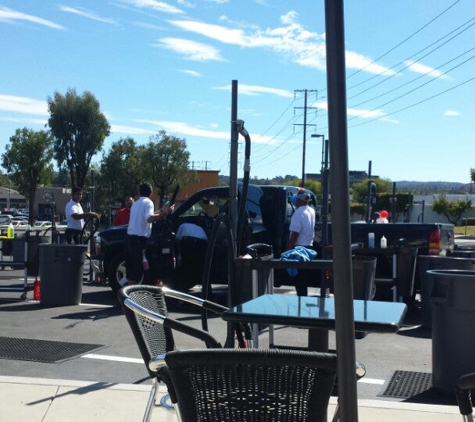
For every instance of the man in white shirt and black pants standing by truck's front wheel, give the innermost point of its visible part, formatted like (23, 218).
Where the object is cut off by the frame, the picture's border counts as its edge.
(142, 215)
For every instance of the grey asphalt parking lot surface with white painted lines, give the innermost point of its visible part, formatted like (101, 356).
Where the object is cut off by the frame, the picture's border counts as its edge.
(112, 356)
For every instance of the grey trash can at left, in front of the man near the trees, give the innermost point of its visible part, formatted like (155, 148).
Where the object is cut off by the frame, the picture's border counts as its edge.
(61, 273)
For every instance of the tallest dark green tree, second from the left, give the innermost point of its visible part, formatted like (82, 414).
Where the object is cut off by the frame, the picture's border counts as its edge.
(79, 129)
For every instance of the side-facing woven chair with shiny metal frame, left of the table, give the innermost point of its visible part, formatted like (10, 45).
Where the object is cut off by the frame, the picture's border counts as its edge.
(146, 313)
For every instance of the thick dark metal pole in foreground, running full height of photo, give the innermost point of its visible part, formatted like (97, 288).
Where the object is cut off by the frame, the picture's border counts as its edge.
(342, 268)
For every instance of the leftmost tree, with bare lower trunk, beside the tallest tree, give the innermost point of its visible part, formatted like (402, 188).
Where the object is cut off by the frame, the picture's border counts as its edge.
(28, 159)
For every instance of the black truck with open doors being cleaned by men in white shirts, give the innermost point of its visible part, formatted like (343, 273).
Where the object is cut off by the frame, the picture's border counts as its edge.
(179, 263)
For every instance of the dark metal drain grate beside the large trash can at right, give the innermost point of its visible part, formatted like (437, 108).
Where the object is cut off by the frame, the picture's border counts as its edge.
(405, 384)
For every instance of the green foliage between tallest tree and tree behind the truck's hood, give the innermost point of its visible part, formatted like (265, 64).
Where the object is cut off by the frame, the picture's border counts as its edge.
(121, 171)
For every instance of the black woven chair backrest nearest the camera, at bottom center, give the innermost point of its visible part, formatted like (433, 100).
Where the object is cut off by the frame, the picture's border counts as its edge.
(249, 385)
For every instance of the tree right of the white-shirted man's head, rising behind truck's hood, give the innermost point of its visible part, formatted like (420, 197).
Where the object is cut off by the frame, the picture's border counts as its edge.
(166, 158)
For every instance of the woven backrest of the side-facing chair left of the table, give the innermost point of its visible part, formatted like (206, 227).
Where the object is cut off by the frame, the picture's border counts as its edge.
(152, 337)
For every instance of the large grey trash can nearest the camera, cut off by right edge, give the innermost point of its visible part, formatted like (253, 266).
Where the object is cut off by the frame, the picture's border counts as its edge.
(453, 327)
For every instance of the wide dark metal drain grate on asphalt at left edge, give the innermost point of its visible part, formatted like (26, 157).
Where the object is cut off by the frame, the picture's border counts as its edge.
(42, 350)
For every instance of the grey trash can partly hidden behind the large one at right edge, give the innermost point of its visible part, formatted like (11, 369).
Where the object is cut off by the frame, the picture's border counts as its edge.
(436, 262)
